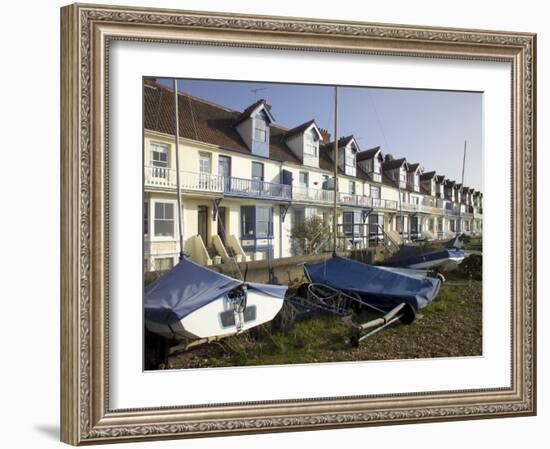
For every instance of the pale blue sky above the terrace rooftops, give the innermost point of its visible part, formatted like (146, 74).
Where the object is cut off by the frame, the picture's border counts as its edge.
(425, 126)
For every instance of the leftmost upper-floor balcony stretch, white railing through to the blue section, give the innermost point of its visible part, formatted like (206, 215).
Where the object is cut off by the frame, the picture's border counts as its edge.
(161, 177)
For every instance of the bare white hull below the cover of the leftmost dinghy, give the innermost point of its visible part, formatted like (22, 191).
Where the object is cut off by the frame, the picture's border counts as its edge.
(208, 321)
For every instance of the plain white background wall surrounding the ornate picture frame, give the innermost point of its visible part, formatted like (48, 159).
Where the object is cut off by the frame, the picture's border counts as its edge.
(30, 374)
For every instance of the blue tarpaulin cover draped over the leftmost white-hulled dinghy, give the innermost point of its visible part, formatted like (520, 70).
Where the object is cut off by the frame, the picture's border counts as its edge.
(189, 286)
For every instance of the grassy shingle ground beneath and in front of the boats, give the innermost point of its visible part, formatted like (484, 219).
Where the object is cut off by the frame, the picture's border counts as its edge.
(451, 326)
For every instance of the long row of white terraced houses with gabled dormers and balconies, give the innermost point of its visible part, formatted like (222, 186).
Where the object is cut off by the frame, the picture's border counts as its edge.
(246, 181)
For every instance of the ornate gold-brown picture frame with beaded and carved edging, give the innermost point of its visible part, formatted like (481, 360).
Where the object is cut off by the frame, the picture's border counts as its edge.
(87, 32)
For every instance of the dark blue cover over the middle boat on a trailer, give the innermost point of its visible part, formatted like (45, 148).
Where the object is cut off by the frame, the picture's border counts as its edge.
(381, 286)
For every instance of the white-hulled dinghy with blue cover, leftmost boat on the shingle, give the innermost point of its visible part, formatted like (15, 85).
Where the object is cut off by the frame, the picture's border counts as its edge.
(193, 302)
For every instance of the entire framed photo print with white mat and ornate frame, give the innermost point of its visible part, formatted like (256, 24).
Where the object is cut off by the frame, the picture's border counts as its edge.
(280, 224)
